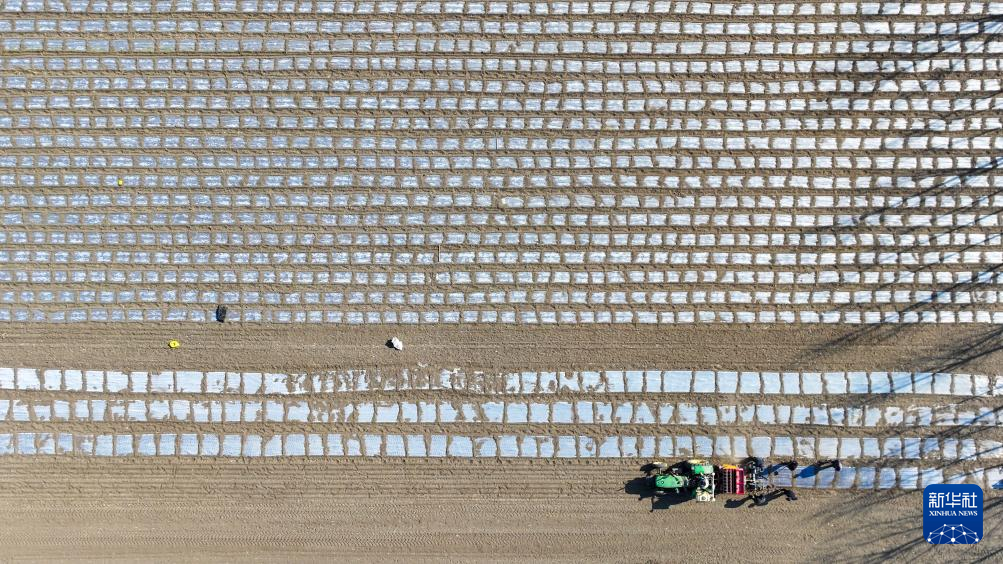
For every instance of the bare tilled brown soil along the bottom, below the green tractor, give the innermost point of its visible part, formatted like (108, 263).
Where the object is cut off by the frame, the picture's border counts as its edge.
(429, 511)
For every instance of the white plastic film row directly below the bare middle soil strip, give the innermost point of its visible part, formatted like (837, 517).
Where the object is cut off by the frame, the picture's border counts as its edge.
(759, 384)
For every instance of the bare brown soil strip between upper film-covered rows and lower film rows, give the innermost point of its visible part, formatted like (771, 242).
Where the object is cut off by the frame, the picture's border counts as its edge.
(975, 349)
